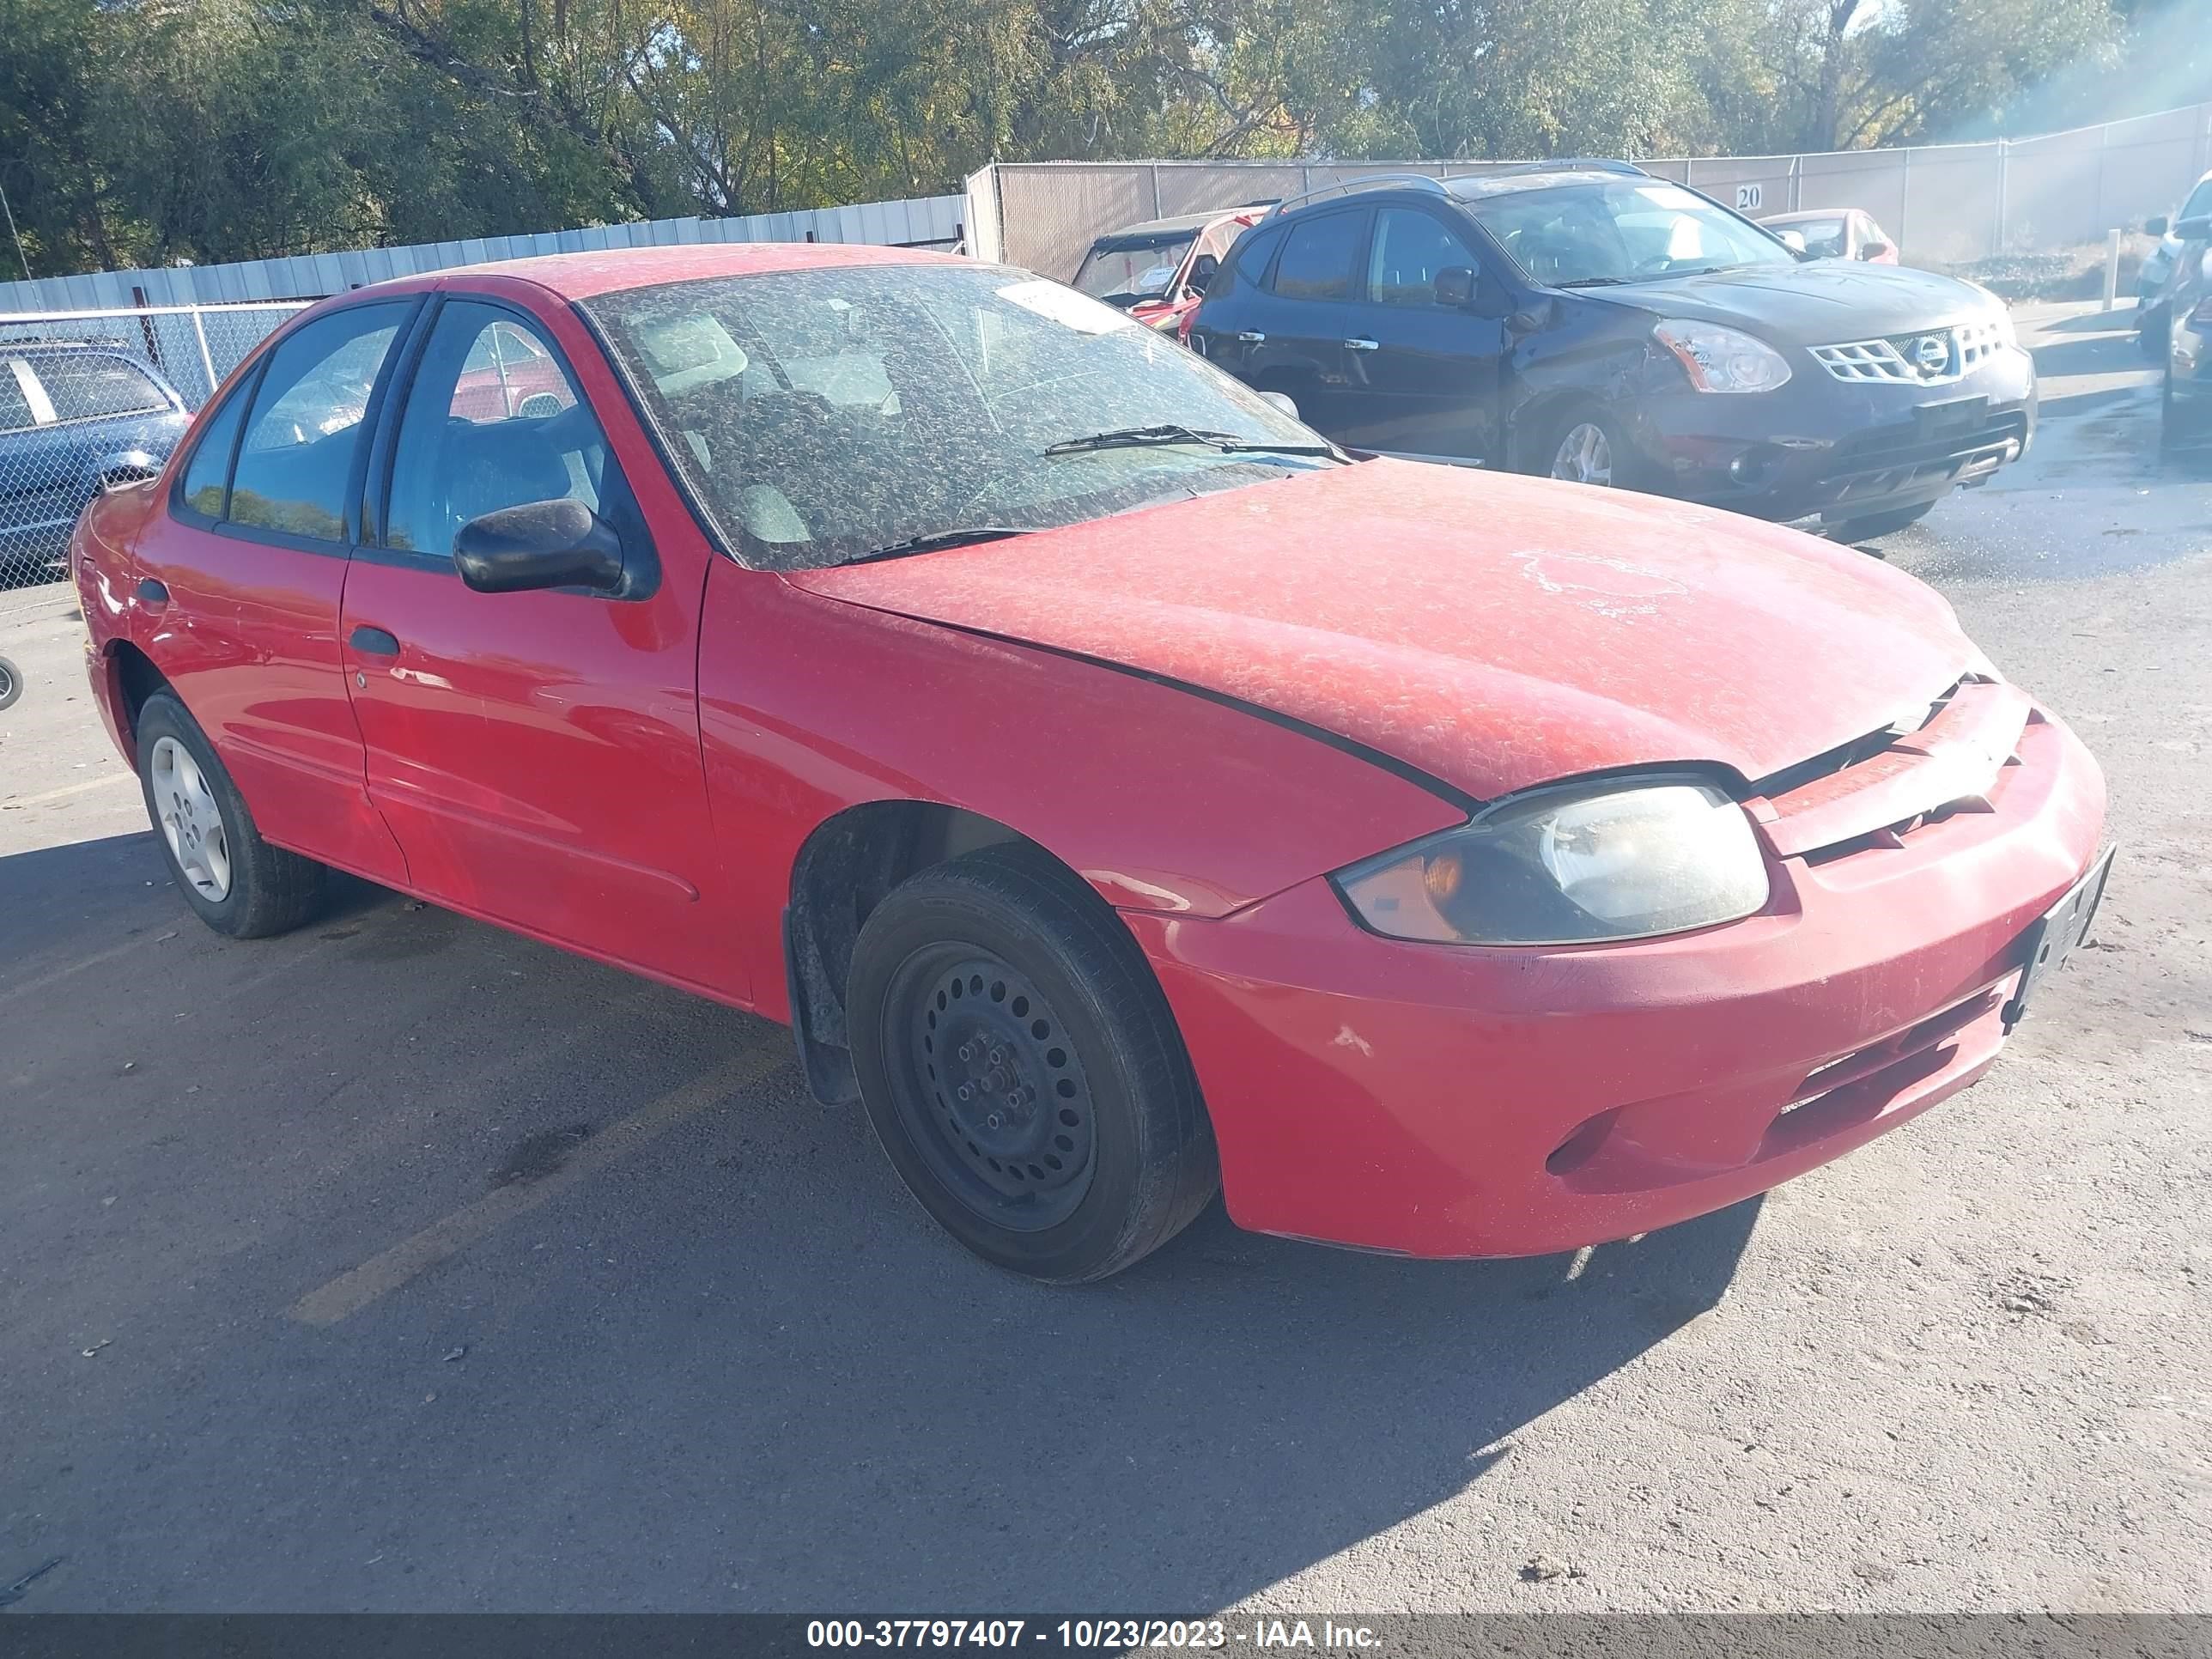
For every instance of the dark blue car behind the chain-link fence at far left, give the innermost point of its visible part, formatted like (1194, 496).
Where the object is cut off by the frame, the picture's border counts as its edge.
(76, 419)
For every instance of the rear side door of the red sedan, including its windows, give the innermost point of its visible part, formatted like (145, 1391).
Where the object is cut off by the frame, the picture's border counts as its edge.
(240, 583)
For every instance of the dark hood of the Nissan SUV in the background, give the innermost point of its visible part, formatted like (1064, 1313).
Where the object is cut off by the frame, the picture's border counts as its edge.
(1822, 302)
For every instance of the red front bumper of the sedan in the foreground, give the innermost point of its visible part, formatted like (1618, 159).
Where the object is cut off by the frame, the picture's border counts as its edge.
(1494, 1103)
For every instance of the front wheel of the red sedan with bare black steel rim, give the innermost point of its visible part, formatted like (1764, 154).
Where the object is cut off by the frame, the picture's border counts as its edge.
(1085, 1142)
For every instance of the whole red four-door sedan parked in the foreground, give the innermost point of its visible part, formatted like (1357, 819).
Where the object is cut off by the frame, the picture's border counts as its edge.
(1118, 789)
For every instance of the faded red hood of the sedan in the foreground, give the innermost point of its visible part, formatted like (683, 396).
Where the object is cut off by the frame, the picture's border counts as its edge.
(1485, 629)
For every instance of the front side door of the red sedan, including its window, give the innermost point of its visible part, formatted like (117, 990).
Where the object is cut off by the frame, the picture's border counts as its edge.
(534, 753)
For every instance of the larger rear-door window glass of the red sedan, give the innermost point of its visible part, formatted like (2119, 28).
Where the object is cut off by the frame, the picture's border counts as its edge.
(306, 424)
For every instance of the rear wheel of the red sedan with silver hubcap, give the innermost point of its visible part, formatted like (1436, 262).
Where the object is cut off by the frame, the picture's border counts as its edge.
(229, 875)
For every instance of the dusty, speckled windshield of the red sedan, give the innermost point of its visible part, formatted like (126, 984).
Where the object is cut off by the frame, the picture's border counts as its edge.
(828, 415)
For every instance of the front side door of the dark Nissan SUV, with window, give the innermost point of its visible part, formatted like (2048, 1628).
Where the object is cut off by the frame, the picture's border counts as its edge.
(1421, 377)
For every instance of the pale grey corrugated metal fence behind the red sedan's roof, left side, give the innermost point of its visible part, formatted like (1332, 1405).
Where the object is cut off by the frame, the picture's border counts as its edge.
(924, 222)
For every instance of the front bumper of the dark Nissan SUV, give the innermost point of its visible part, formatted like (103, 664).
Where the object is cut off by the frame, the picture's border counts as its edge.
(1822, 446)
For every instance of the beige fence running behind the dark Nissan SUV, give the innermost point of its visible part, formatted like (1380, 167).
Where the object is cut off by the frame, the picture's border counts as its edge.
(1945, 202)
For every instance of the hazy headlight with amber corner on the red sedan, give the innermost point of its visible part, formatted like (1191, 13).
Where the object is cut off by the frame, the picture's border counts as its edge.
(1569, 868)
